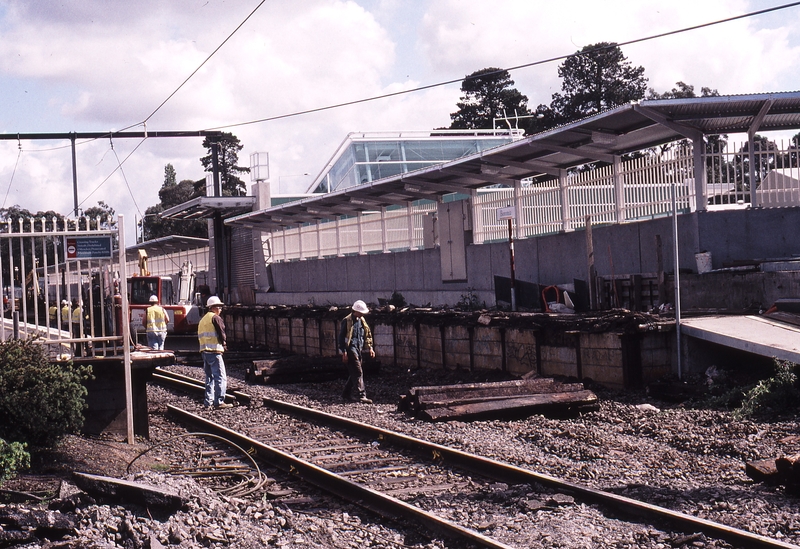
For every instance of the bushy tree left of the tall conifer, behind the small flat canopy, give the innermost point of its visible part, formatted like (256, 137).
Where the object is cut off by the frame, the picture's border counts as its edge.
(171, 194)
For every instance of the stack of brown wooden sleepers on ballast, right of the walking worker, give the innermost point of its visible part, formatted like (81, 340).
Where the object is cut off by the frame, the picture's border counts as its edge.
(498, 400)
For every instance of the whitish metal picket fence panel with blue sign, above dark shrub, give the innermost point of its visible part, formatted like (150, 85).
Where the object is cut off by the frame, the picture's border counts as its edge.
(61, 286)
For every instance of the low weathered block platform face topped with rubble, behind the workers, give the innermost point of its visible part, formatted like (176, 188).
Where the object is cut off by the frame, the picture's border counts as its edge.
(517, 346)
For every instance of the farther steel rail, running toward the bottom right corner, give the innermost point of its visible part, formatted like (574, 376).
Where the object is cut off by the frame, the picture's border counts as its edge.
(516, 475)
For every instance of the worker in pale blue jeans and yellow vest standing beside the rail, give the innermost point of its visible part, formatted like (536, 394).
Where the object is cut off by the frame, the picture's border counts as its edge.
(213, 342)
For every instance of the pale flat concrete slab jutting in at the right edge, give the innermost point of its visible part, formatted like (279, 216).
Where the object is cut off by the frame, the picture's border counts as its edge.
(749, 333)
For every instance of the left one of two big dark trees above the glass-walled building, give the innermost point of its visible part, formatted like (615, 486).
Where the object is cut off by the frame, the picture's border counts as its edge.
(488, 94)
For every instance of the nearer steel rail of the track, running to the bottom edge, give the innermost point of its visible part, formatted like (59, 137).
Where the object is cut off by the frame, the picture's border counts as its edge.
(339, 486)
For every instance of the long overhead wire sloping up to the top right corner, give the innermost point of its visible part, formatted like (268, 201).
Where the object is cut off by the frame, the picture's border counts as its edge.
(509, 69)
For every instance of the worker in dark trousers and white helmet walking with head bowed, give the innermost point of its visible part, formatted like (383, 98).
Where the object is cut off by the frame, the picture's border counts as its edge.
(354, 336)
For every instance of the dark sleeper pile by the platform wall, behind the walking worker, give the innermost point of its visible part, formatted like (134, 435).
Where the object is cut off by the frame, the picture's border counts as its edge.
(302, 369)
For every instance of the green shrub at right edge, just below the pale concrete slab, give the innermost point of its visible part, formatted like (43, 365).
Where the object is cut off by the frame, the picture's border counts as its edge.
(776, 395)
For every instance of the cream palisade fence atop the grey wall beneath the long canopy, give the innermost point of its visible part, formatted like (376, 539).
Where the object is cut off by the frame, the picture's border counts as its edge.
(641, 189)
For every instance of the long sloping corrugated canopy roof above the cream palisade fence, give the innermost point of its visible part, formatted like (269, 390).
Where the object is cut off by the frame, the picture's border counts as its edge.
(601, 137)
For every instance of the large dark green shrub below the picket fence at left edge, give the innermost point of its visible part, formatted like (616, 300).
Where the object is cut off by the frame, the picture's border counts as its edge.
(40, 401)
